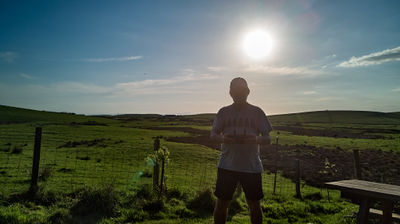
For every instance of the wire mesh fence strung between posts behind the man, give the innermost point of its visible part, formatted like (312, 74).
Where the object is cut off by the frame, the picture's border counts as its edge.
(69, 162)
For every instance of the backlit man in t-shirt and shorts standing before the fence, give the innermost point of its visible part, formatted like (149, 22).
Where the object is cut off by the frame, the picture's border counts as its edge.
(240, 128)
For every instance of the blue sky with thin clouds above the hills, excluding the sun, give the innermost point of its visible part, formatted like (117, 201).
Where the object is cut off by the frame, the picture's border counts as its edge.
(178, 57)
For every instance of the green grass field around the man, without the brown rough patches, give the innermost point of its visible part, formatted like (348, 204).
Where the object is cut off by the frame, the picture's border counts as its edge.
(94, 169)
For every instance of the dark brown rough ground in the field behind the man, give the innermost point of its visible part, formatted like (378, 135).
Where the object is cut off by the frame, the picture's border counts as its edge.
(318, 165)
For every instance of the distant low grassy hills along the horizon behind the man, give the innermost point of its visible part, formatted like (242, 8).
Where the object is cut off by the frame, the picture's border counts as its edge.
(19, 115)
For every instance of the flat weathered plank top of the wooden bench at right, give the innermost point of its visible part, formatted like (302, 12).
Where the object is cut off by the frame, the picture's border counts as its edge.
(367, 189)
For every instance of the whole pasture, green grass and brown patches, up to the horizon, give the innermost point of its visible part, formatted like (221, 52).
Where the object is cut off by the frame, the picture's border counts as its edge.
(88, 151)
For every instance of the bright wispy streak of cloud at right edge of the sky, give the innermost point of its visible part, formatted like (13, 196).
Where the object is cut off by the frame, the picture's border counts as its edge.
(373, 59)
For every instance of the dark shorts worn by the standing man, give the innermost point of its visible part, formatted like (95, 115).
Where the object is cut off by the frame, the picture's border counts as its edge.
(227, 181)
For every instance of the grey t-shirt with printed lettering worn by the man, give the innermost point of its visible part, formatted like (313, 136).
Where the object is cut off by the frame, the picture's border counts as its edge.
(249, 120)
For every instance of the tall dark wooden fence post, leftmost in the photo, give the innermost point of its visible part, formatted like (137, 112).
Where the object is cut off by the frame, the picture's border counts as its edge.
(36, 160)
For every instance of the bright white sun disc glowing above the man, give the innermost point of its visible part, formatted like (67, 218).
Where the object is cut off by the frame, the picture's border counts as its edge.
(257, 44)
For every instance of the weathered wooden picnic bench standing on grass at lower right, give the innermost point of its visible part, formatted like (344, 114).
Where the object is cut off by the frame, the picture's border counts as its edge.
(364, 192)
